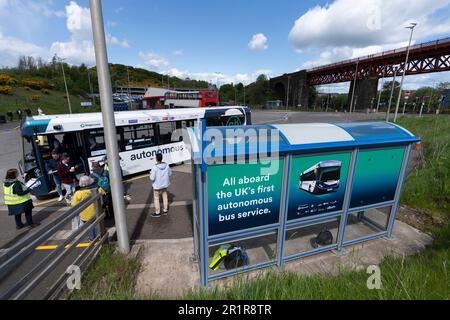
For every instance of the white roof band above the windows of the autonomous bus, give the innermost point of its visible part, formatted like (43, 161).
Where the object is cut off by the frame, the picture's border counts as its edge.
(56, 124)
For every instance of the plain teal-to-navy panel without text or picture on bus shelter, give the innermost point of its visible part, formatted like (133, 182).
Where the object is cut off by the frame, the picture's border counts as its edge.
(376, 176)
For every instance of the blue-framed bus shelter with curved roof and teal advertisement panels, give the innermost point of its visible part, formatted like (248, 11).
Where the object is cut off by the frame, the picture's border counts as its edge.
(273, 189)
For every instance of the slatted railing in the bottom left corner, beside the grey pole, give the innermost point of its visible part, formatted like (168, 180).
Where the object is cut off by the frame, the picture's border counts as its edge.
(22, 250)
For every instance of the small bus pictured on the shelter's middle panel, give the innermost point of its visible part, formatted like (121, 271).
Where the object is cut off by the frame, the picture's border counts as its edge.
(322, 178)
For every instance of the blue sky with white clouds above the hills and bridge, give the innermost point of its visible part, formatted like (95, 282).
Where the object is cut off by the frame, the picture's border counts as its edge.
(212, 40)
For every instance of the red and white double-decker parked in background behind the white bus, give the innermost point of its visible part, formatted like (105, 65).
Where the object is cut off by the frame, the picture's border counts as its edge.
(156, 98)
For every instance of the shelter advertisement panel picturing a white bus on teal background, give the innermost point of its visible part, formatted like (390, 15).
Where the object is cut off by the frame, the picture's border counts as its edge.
(317, 184)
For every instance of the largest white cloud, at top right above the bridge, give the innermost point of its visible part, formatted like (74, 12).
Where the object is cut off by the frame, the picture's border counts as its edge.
(347, 29)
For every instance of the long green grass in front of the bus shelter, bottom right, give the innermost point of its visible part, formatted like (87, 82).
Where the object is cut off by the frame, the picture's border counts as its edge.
(422, 277)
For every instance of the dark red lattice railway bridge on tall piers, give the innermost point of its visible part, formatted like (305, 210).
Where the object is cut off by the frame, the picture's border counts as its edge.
(426, 57)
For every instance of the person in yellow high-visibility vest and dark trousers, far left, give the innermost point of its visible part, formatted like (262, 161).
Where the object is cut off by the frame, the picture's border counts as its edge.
(18, 199)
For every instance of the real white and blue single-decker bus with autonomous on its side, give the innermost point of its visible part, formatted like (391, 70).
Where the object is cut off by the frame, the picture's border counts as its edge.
(140, 136)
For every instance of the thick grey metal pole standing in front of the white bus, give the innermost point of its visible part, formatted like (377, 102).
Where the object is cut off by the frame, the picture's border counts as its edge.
(112, 148)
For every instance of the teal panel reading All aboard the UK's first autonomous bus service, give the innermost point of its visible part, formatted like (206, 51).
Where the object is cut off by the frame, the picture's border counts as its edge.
(240, 196)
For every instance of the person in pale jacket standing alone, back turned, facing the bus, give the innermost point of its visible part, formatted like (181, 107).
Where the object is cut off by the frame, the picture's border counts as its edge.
(160, 178)
